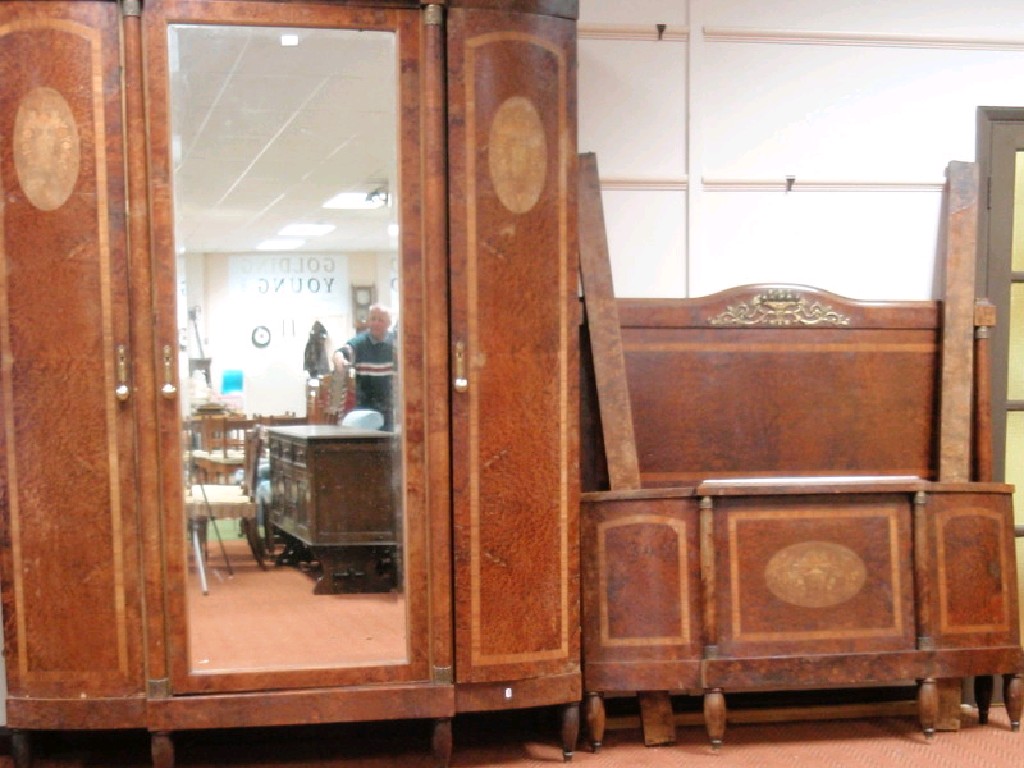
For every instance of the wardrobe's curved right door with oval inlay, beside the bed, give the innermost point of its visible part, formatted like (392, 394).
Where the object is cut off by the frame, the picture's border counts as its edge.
(513, 158)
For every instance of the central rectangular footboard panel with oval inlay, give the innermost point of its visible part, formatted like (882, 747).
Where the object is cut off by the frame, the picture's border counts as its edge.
(814, 575)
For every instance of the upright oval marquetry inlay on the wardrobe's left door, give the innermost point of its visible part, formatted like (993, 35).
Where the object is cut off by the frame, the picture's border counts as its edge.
(47, 149)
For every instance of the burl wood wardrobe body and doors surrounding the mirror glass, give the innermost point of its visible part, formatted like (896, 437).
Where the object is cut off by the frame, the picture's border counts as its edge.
(98, 578)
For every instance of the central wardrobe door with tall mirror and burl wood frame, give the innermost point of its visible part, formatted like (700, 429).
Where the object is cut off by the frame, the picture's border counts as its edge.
(285, 154)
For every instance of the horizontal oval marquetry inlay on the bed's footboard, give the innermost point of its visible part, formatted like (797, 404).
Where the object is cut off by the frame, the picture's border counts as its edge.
(816, 575)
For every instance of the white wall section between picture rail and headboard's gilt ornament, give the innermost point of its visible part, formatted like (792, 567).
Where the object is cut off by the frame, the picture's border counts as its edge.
(878, 245)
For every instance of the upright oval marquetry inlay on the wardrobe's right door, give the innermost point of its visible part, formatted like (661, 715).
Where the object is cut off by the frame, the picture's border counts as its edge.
(518, 155)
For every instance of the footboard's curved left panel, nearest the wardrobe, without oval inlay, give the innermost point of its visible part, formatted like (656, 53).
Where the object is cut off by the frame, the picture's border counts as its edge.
(643, 621)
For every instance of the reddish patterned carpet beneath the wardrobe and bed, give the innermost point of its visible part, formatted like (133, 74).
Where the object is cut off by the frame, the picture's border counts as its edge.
(529, 740)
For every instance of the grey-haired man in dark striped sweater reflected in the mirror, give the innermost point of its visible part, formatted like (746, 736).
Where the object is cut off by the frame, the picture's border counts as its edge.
(371, 357)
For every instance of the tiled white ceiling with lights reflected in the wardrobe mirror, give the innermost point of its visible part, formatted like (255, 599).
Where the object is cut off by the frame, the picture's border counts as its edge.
(265, 134)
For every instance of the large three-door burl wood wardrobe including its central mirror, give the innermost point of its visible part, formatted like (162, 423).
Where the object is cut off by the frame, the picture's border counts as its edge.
(141, 143)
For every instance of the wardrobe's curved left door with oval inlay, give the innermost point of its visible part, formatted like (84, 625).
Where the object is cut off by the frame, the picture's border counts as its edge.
(71, 571)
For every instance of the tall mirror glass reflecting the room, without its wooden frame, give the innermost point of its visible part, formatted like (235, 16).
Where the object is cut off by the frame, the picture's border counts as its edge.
(285, 155)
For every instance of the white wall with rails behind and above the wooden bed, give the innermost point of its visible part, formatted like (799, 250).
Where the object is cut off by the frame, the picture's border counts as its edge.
(865, 105)
